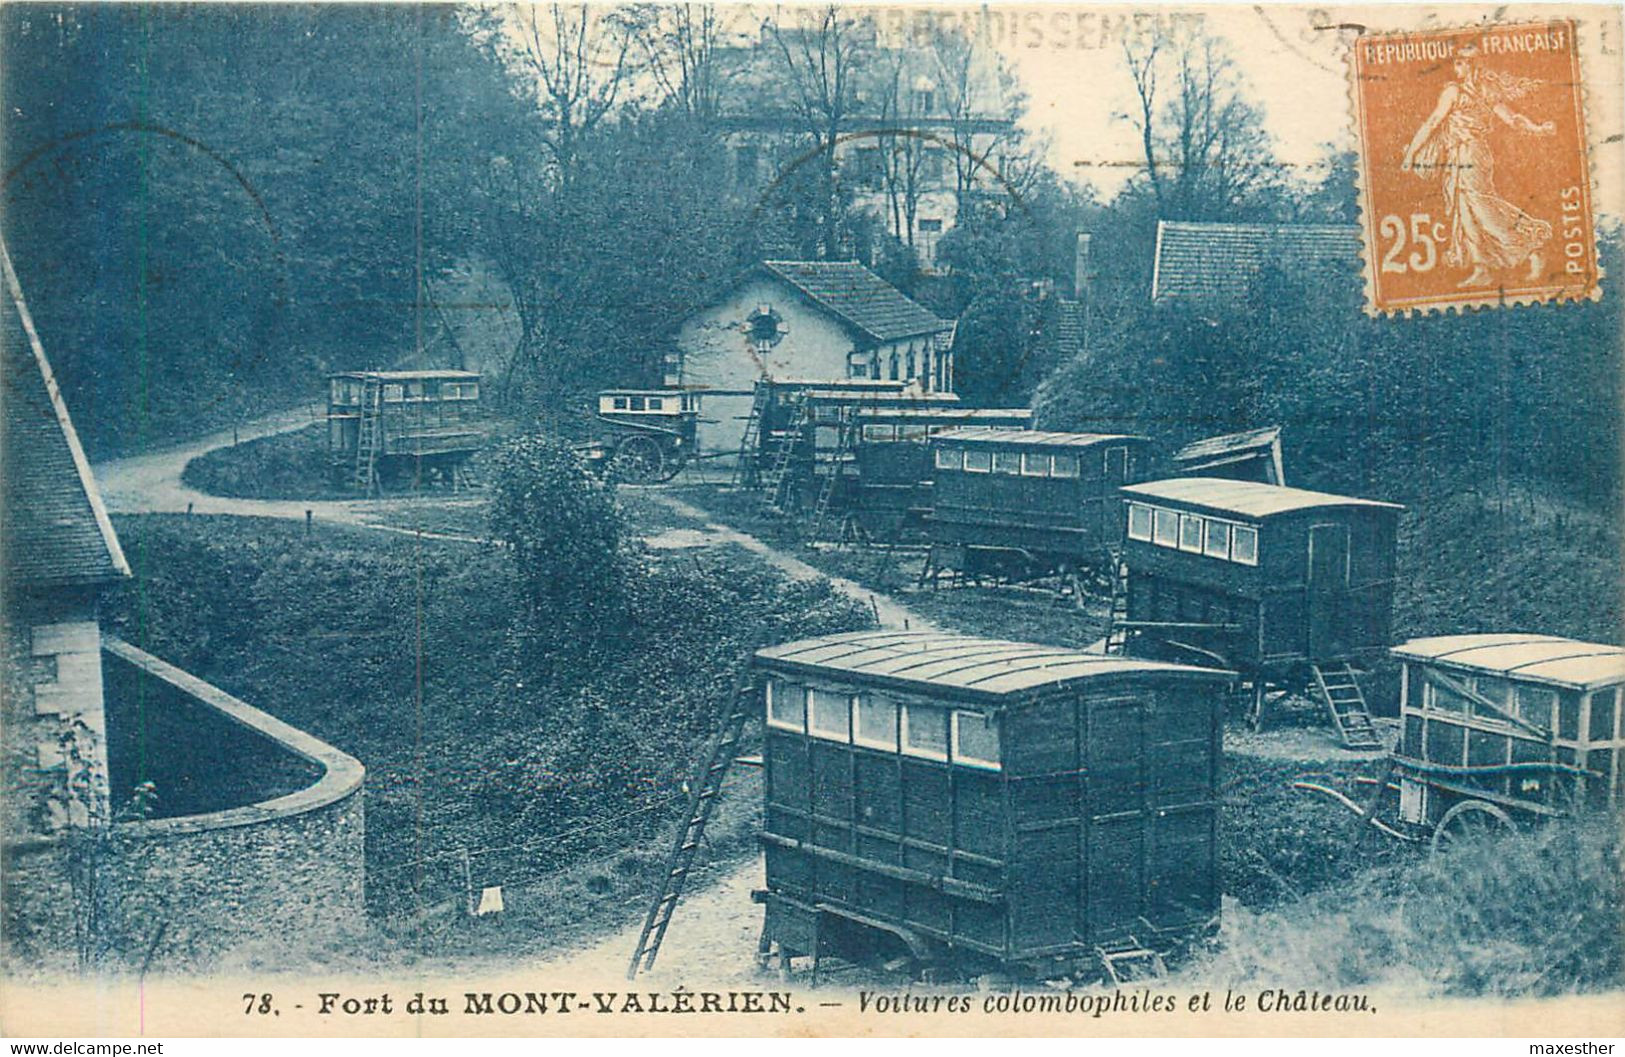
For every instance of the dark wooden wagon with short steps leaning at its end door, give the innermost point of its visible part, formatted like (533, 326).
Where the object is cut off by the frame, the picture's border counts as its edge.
(1291, 588)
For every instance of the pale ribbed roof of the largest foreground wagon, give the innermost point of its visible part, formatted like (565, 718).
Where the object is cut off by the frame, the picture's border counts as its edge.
(969, 666)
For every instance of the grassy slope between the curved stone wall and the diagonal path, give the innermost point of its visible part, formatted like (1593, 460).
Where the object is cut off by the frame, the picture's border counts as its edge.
(399, 653)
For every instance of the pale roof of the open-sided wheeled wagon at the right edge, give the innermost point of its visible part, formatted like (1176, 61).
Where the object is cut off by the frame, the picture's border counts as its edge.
(1535, 658)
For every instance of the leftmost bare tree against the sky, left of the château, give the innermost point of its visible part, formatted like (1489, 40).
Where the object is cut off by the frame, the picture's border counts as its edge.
(581, 61)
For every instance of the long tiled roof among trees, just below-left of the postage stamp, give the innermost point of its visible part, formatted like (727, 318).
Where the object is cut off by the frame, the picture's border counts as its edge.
(1218, 263)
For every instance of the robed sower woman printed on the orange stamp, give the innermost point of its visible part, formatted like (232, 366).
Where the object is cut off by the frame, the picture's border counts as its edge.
(1486, 232)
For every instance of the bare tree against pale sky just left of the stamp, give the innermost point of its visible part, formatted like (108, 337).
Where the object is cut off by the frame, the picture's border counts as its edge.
(1205, 146)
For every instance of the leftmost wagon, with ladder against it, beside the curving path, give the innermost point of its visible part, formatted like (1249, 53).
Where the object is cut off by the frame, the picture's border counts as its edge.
(392, 427)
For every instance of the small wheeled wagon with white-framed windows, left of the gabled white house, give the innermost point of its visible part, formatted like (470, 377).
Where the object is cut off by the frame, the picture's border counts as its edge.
(644, 435)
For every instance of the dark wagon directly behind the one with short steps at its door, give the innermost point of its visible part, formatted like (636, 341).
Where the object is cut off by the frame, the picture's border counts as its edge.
(1028, 505)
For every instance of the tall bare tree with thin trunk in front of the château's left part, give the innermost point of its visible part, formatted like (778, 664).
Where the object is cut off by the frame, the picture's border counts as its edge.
(821, 51)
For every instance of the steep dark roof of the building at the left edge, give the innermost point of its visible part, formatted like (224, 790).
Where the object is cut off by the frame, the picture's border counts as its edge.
(54, 526)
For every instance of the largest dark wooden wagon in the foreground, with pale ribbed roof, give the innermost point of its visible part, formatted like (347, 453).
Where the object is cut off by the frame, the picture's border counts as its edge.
(987, 804)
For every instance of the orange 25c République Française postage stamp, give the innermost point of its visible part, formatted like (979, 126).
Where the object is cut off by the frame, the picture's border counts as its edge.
(1475, 170)
